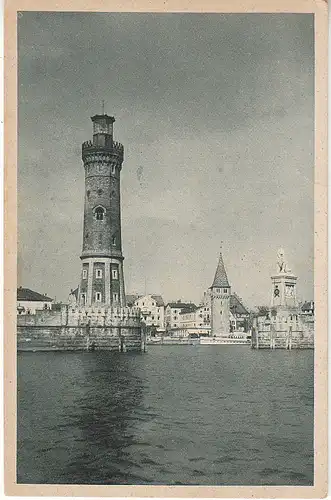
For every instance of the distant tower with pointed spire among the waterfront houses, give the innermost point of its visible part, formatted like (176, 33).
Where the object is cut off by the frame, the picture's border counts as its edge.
(220, 294)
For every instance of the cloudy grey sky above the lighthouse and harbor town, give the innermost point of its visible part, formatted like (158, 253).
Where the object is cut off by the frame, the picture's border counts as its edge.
(216, 115)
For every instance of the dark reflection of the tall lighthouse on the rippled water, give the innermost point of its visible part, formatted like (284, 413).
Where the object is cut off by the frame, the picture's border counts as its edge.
(104, 420)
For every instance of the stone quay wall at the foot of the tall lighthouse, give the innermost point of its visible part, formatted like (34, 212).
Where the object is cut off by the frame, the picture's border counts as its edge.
(77, 329)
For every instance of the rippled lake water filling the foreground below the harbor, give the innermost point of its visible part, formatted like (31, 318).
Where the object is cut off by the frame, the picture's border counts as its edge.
(191, 415)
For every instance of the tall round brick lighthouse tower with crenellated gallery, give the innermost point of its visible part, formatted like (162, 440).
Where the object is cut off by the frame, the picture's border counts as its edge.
(102, 281)
